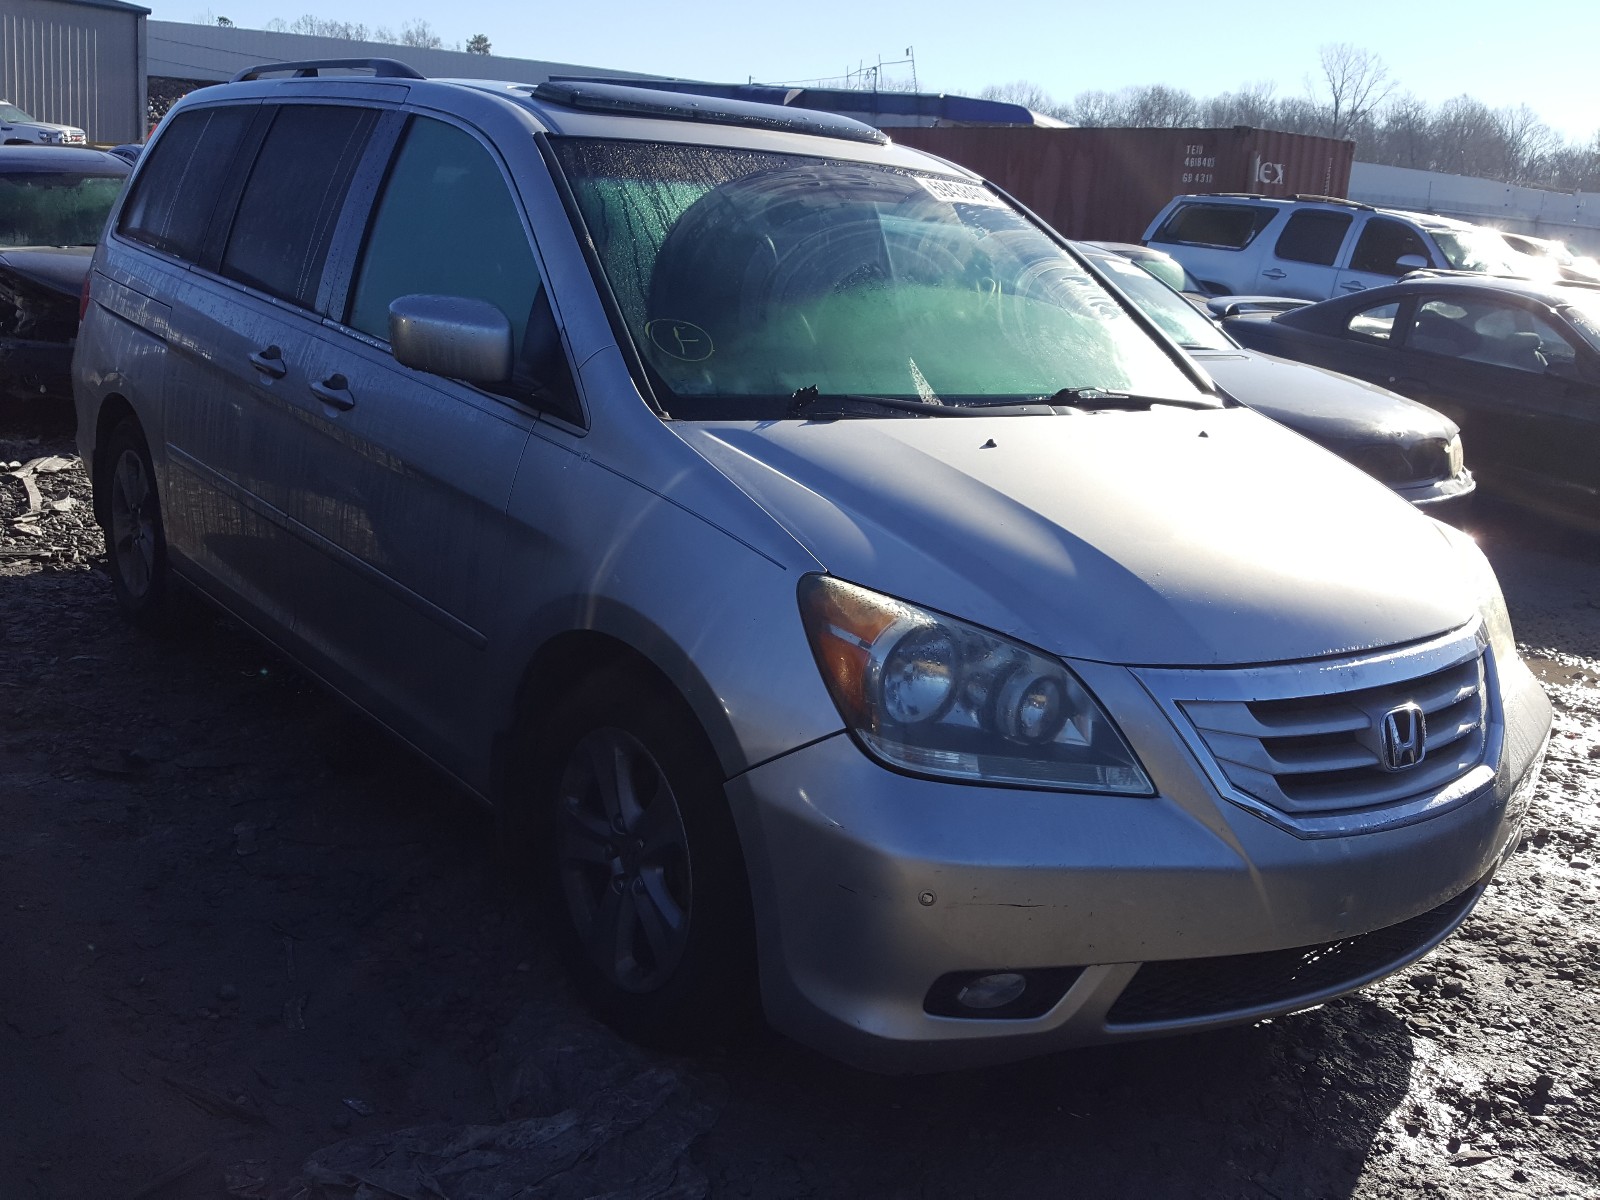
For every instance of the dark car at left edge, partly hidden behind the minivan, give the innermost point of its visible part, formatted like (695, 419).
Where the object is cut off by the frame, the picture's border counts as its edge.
(54, 206)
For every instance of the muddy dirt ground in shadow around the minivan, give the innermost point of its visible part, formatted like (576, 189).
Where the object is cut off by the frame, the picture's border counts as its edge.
(254, 950)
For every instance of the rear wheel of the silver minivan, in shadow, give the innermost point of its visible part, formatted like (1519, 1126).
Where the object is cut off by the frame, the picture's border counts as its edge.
(135, 534)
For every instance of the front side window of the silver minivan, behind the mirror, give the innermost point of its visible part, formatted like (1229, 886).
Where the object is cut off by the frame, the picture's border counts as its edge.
(449, 226)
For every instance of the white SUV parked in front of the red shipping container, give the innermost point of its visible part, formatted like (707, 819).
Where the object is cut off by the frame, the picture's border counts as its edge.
(1316, 247)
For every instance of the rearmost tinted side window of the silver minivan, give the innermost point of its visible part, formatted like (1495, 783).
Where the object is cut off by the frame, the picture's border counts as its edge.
(180, 185)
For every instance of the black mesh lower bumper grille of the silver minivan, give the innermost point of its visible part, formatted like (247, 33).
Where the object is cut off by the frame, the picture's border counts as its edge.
(1193, 990)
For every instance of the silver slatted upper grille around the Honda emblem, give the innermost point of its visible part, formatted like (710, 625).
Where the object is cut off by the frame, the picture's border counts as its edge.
(1308, 756)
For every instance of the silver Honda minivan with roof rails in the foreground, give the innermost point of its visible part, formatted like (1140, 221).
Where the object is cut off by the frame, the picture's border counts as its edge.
(839, 594)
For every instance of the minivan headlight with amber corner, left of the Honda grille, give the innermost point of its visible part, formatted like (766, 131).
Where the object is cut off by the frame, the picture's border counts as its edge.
(938, 697)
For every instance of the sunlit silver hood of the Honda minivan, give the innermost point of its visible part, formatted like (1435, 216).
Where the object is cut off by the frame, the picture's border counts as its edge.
(1161, 538)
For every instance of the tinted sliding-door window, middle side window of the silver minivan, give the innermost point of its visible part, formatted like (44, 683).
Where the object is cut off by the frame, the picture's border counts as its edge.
(294, 198)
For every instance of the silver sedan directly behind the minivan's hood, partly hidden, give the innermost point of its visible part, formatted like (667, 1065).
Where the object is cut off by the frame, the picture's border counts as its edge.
(1407, 446)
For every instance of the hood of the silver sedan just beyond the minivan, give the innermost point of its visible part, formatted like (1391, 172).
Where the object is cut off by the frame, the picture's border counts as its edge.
(1326, 406)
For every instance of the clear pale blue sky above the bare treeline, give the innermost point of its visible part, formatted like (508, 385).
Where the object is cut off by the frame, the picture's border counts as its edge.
(1431, 50)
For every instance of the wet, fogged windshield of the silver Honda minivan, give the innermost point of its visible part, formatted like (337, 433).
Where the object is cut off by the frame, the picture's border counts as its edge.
(748, 279)
